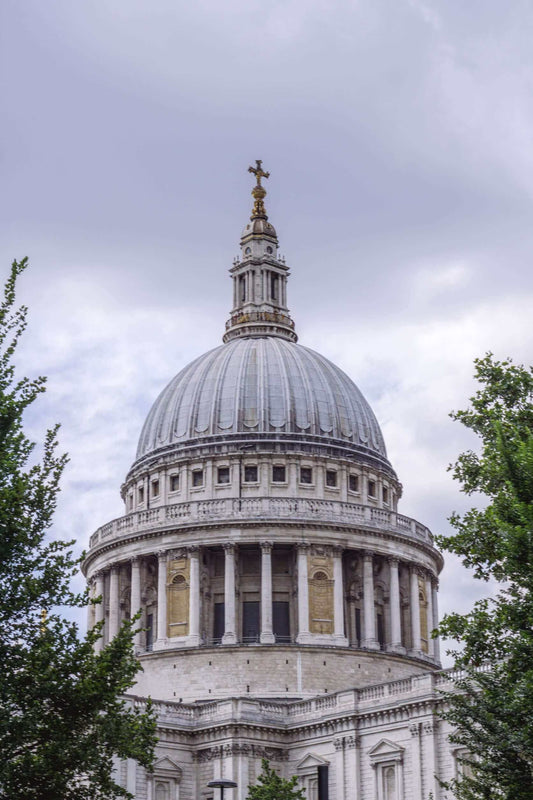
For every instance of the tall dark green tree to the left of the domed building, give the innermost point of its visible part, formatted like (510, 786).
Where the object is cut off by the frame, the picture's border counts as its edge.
(62, 716)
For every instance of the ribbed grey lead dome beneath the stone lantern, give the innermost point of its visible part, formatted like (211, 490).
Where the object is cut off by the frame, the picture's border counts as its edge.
(269, 387)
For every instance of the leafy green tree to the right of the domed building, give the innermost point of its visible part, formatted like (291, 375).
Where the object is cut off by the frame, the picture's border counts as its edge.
(492, 704)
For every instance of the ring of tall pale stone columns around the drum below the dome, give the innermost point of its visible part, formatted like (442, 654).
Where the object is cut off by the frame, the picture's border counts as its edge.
(369, 639)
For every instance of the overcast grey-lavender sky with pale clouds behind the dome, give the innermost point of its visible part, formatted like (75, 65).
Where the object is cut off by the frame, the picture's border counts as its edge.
(399, 137)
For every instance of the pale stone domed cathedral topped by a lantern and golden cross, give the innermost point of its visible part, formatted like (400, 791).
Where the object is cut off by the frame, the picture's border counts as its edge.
(287, 606)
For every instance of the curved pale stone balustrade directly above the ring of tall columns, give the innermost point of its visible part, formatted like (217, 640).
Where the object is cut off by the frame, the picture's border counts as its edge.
(267, 508)
